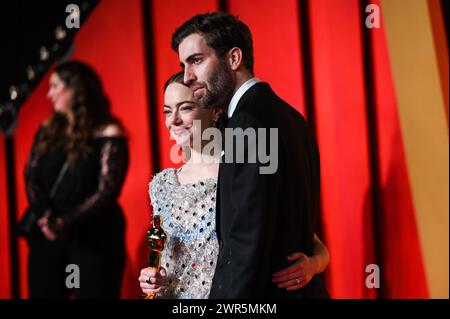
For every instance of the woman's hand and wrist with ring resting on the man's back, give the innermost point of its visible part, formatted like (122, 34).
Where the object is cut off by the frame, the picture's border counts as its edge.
(304, 268)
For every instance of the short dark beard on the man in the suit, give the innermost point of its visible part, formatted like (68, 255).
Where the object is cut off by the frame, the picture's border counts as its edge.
(220, 87)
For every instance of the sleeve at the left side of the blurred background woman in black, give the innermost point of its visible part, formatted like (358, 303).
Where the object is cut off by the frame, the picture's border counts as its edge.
(38, 199)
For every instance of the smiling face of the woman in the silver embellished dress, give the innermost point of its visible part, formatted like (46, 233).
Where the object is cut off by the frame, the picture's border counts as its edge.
(181, 109)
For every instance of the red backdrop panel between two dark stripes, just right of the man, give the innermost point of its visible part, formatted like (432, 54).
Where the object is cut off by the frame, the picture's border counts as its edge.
(339, 102)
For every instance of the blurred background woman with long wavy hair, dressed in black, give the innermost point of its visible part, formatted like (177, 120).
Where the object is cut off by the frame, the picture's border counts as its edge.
(82, 224)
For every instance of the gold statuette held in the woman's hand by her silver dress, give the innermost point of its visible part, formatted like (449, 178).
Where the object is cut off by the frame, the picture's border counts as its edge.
(156, 241)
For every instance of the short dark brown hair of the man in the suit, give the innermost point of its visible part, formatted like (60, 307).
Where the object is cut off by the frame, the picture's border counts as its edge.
(222, 32)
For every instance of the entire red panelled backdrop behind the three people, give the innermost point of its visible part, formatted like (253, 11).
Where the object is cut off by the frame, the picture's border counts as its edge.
(320, 58)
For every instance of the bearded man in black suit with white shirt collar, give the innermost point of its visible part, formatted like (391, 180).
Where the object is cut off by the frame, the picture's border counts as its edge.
(264, 212)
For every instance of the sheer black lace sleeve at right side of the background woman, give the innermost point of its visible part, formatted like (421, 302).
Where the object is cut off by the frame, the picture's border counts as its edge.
(114, 165)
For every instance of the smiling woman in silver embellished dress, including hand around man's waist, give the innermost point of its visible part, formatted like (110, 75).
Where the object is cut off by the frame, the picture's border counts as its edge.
(186, 199)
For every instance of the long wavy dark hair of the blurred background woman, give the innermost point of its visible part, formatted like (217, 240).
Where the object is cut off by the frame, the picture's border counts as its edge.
(90, 108)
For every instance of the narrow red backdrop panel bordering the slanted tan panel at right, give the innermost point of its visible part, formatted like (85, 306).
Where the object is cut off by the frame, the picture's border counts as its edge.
(399, 241)
